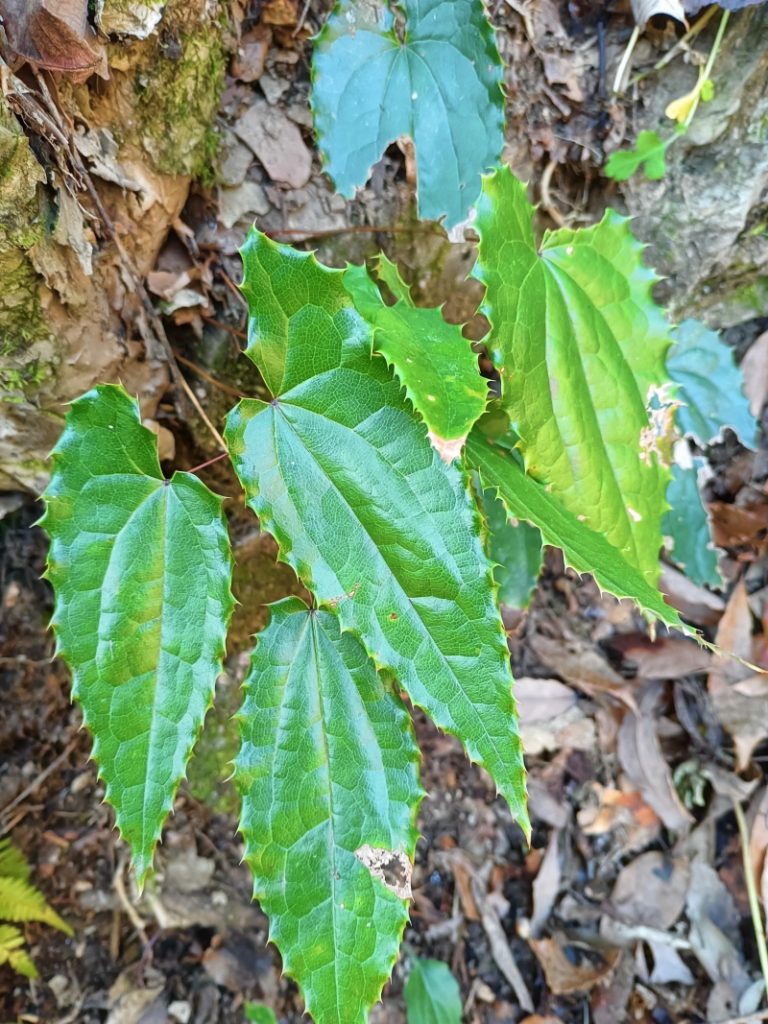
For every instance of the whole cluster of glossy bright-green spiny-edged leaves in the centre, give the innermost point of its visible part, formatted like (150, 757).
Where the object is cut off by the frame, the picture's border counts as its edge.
(372, 462)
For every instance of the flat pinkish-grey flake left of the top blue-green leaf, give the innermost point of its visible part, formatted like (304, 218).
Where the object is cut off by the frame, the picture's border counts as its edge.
(278, 144)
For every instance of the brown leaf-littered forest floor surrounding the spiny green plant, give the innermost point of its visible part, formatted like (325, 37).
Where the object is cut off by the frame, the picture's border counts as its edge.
(631, 904)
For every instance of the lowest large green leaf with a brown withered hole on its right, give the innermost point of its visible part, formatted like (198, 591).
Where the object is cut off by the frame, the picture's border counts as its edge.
(328, 776)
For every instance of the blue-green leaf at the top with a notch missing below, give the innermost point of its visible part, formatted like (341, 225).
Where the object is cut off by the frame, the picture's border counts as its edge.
(442, 86)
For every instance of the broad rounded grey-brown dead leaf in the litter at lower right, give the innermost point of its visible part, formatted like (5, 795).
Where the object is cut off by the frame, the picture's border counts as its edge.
(652, 890)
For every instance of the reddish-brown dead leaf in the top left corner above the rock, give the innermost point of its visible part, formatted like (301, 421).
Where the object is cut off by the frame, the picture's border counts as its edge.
(55, 35)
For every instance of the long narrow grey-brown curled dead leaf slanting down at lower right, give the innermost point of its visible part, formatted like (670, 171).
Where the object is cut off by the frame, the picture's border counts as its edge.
(641, 757)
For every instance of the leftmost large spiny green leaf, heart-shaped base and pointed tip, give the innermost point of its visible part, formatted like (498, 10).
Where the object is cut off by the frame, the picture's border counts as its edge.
(142, 568)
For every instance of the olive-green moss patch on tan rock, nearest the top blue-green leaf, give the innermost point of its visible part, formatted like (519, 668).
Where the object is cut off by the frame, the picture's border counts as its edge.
(179, 91)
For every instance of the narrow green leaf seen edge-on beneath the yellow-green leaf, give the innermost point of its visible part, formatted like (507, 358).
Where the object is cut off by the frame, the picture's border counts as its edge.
(585, 550)
